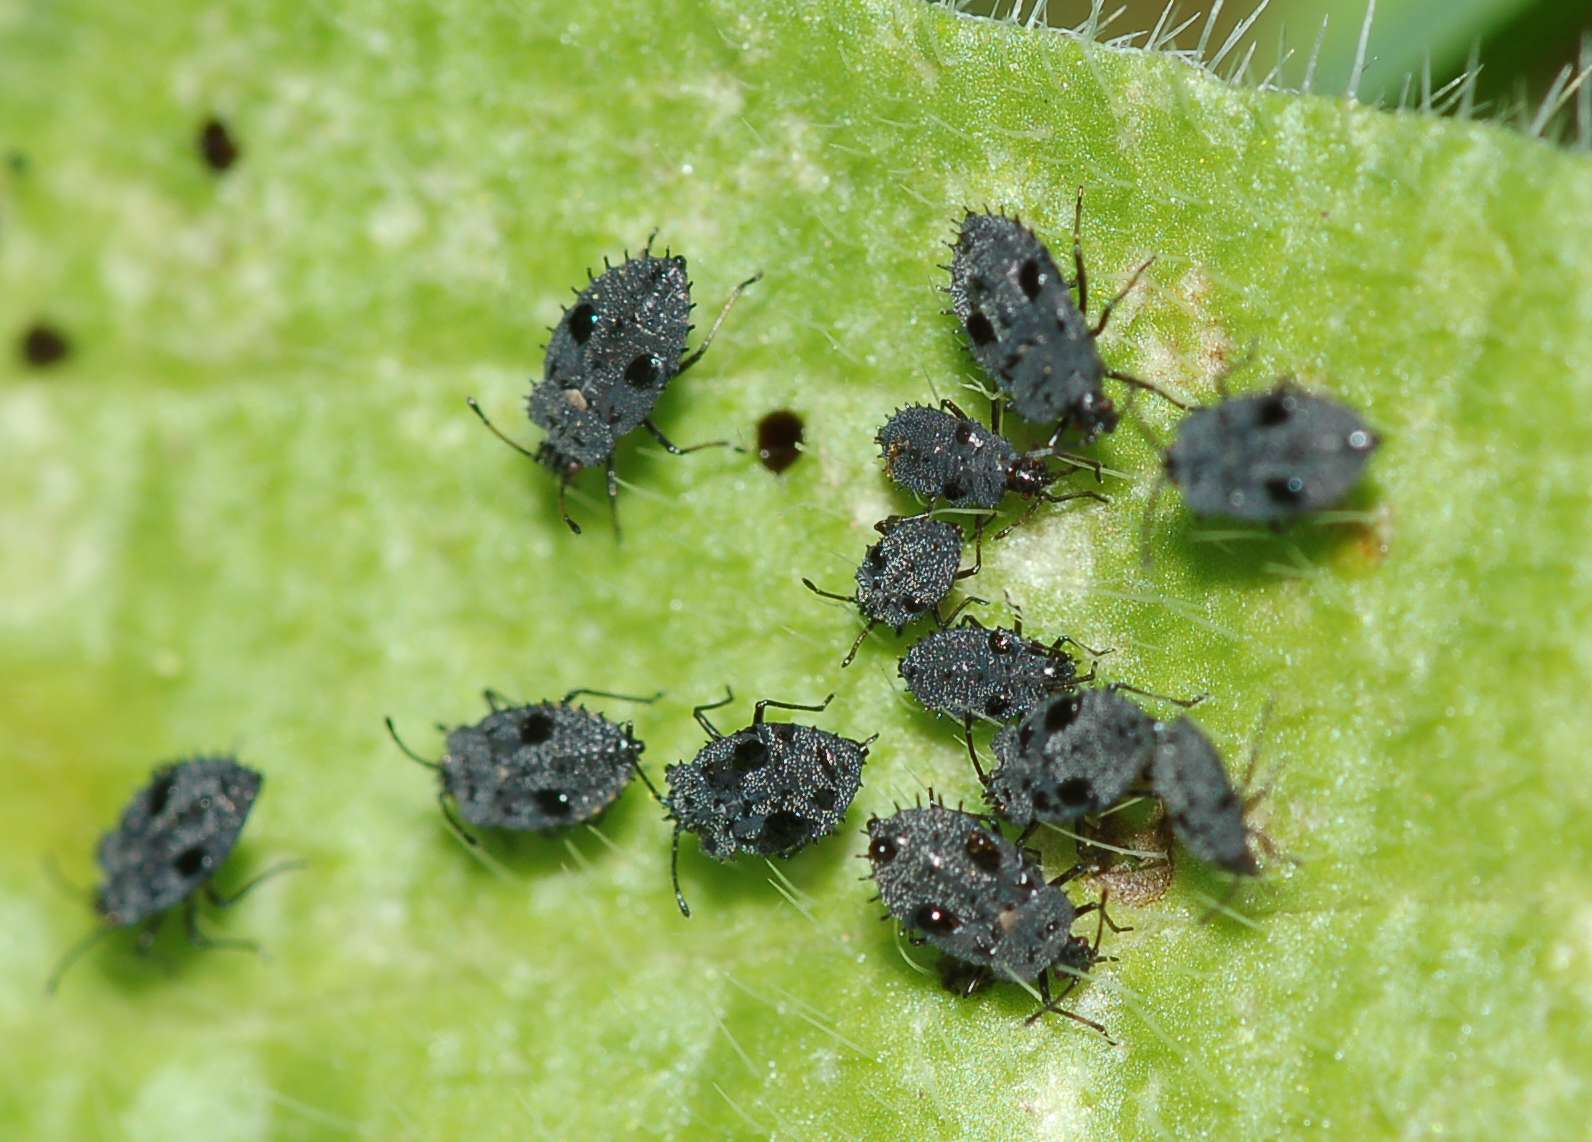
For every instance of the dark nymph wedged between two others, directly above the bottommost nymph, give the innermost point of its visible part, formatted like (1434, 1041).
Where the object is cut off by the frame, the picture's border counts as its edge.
(1072, 756)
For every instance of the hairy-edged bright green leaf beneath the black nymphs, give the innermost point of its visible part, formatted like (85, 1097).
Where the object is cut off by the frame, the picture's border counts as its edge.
(252, 512)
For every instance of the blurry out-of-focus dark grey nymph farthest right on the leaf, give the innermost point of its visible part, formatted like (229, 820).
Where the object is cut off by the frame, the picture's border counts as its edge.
(1271, 456)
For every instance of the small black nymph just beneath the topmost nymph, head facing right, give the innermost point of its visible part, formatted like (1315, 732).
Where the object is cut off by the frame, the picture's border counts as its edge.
(942, 455)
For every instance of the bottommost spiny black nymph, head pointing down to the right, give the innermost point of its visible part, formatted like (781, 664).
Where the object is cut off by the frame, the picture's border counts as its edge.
(956, 883)
